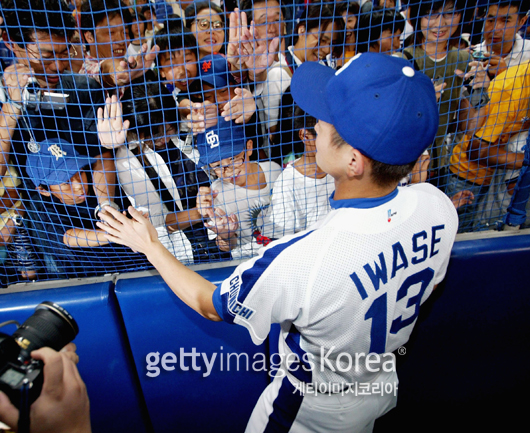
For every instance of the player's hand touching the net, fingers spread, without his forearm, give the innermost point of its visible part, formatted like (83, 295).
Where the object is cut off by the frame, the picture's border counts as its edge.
(136, 232)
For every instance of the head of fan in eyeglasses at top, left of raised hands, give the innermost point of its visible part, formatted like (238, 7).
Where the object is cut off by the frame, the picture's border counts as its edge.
(207, 22)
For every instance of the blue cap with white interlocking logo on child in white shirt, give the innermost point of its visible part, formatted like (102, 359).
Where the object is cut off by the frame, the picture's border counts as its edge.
(224, 140)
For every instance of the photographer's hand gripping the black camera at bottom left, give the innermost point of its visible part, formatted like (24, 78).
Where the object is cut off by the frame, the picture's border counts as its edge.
(63, 405)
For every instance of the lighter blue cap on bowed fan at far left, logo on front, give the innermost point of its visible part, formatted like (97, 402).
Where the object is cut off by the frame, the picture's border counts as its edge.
(55, 163)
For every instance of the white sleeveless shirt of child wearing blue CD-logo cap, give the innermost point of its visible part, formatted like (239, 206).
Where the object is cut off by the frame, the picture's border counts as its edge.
(249, 205)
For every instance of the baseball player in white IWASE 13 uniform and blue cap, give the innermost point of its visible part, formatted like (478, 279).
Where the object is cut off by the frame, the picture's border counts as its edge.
(347, 291)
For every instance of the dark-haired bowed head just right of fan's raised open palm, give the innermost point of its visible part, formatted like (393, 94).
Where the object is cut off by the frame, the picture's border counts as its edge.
(148, 106)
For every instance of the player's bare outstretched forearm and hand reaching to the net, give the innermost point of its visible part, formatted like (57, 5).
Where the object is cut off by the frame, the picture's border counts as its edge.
(139, 234)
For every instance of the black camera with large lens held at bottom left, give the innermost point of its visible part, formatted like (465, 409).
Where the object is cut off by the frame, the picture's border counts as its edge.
(21, 376)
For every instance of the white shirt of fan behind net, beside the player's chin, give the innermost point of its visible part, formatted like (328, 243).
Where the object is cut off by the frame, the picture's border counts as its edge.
(298, 202)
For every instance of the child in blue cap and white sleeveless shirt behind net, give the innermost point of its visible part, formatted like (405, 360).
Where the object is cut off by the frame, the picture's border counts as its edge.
(233, 204)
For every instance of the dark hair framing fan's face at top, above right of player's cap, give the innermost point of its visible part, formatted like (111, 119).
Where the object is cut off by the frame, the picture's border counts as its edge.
(420, 8)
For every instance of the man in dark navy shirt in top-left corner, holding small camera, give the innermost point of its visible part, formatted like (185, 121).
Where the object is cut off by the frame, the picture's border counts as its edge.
(45, 55)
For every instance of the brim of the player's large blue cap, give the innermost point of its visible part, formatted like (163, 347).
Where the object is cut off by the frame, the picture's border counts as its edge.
(308, 88)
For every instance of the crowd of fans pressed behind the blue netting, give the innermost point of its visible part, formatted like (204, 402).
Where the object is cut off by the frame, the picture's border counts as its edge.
(183, 110)
